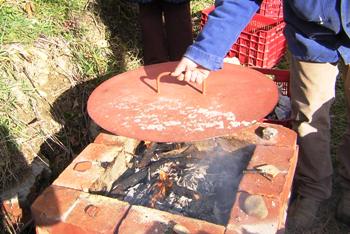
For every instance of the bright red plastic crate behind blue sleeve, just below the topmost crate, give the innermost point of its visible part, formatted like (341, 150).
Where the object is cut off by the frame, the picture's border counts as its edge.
(261, 43)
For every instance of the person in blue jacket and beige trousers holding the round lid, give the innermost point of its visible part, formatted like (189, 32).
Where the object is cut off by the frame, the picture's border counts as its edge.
(318, 36)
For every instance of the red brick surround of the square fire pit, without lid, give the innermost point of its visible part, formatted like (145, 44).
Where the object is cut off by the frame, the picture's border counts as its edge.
(69, 206)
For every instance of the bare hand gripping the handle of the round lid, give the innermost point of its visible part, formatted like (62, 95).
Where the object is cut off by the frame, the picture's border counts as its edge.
(190, 71)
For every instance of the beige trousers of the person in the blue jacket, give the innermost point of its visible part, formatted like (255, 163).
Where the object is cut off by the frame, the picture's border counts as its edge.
(312, 94)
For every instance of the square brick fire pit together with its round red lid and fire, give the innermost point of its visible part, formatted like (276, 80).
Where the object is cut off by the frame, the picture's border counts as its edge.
(184, 160)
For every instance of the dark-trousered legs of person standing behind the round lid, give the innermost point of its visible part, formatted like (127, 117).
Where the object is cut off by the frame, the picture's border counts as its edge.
(166, 27)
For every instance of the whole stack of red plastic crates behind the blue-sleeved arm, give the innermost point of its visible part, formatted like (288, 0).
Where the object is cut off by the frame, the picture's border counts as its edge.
(261, 45)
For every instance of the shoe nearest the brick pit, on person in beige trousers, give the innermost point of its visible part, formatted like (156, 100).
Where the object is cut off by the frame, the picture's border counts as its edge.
(302, 213)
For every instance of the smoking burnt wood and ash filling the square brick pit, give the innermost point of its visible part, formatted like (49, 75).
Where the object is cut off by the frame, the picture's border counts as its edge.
(197, 180)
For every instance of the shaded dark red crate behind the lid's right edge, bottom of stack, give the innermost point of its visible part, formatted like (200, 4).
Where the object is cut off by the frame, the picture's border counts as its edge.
(281, 78)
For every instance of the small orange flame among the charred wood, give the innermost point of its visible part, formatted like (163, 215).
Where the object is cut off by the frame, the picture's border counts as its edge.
(161, 188)
